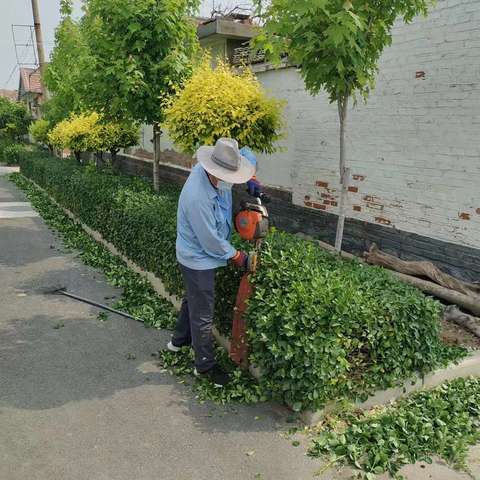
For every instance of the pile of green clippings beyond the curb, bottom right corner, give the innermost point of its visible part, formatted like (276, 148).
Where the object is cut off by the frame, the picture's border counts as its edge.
(443, 421)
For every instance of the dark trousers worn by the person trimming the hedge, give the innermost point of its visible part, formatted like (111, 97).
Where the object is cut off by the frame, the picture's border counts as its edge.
(195, 321)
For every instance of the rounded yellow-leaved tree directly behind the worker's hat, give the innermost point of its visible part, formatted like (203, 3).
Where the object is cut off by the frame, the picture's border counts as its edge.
(220, 102)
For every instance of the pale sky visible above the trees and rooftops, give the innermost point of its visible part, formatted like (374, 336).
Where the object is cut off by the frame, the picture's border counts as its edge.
(19, 12)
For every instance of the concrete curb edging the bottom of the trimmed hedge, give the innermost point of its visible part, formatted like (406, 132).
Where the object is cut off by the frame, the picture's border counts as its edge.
(467, 367)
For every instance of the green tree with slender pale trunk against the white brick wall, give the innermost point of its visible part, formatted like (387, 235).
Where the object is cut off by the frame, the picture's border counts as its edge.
(337, 45)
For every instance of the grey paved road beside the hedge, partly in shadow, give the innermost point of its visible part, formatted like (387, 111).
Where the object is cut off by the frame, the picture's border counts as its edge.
(74, 407)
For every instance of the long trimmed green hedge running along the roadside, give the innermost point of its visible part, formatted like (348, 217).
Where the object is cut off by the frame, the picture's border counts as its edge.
(320, 327)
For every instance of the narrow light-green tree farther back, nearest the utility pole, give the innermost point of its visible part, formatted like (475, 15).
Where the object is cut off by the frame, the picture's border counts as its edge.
(65, 73)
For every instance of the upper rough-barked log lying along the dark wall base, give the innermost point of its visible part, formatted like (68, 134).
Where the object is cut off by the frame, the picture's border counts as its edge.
(421, 269)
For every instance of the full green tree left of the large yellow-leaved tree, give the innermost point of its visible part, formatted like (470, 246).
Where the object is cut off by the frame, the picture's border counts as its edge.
(141, 51)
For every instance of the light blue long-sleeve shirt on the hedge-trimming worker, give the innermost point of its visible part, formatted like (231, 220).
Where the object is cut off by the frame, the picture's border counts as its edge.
(204, 223)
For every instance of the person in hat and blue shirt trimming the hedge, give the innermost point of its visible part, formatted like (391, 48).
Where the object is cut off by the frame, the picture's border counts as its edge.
(204, 229)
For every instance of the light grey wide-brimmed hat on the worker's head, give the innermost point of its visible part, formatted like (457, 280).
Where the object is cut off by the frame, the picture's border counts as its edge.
(225, 162)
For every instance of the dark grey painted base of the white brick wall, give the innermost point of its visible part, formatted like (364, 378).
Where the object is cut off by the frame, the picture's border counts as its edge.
(460, 261)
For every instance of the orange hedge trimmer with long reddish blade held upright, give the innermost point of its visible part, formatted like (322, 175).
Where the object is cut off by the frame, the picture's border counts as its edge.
(252, 225)
